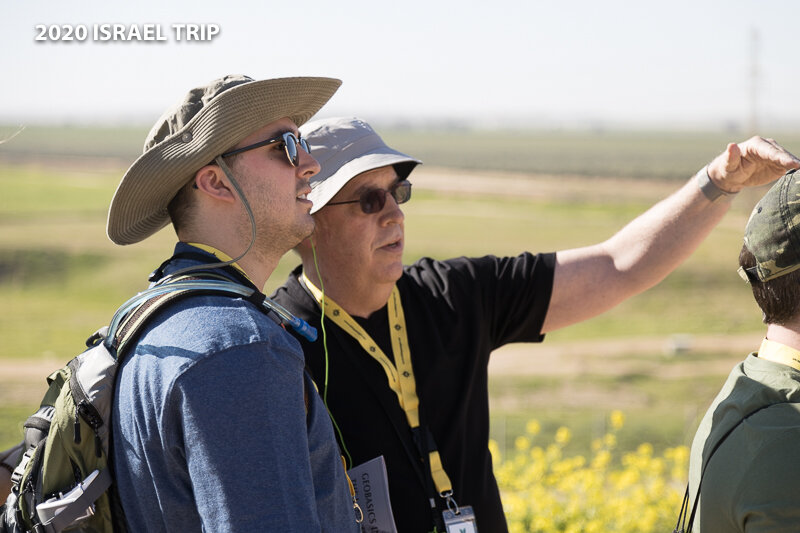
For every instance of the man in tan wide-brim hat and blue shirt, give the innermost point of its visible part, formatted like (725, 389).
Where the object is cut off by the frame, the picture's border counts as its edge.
(216, 425)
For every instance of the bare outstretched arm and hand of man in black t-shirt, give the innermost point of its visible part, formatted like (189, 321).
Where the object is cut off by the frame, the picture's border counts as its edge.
(593, 279)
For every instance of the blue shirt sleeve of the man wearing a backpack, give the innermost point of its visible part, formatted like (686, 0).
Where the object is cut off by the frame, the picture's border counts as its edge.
(242, 427)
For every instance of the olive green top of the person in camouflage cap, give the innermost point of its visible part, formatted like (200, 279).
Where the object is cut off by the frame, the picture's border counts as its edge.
(752, 482)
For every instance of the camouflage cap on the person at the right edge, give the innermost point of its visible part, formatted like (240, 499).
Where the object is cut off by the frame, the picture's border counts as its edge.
(773, 232)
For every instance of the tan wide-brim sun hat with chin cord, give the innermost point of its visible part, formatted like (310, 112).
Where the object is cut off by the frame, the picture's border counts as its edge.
(210, 120)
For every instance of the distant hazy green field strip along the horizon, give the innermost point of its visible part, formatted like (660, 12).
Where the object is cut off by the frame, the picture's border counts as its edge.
(638, 154)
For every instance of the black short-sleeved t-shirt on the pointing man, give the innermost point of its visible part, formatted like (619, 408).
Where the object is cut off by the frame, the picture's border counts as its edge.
(456, 312)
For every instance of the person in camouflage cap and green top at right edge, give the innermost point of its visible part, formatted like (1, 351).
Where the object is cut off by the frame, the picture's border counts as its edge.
(745, 449)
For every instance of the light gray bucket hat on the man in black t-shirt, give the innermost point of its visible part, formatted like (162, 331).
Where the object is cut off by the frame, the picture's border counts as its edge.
(344, 148)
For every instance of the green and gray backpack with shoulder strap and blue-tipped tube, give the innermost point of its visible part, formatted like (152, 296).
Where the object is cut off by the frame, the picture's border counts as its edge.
(63, 481)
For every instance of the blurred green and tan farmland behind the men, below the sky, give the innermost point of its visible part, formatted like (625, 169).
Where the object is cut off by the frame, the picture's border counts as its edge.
(660, 357)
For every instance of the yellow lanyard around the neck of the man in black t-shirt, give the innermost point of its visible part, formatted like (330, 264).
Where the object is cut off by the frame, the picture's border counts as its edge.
(400, 377)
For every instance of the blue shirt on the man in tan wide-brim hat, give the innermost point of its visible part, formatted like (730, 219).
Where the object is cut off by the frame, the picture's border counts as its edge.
(212, 432)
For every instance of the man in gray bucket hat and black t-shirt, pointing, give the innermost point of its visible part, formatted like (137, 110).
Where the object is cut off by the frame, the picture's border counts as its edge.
(403, 364)
